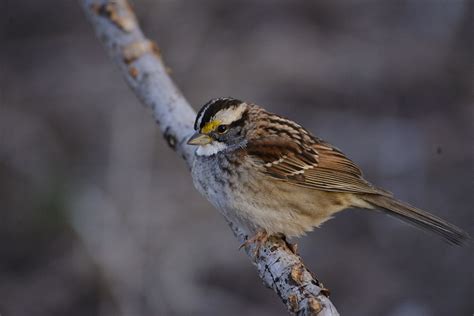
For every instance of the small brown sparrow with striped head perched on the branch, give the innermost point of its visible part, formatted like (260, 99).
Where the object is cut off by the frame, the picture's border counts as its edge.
(271, 176)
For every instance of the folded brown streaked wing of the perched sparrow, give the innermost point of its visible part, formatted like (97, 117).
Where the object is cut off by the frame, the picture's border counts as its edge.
(317, 165)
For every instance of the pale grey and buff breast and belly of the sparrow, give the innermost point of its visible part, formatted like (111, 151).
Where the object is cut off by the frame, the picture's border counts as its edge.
(270, 205)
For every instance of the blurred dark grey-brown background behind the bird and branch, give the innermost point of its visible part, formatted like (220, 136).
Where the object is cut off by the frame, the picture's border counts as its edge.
(99, 217)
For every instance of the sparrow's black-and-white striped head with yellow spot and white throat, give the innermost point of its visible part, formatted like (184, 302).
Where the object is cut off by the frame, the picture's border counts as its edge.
(220, 126)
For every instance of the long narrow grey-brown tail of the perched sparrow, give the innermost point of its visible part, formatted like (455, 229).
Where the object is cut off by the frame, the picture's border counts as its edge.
(419, 218)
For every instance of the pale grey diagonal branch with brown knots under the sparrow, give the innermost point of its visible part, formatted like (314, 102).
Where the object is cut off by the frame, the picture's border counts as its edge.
(140, 62)
